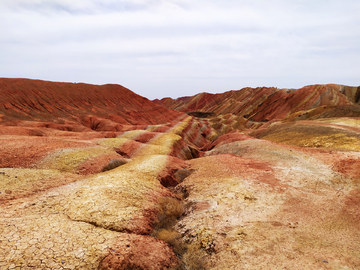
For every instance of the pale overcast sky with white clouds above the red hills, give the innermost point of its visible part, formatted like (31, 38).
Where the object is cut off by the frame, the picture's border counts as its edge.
(175, 48)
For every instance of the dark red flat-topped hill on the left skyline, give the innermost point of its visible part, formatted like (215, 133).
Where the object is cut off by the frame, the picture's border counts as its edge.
(36, 100)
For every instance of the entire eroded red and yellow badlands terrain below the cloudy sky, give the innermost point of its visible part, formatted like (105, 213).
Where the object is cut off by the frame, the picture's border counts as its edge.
(97, 177)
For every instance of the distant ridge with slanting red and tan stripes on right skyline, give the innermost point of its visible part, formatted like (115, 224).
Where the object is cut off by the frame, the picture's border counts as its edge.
(263, 104)
